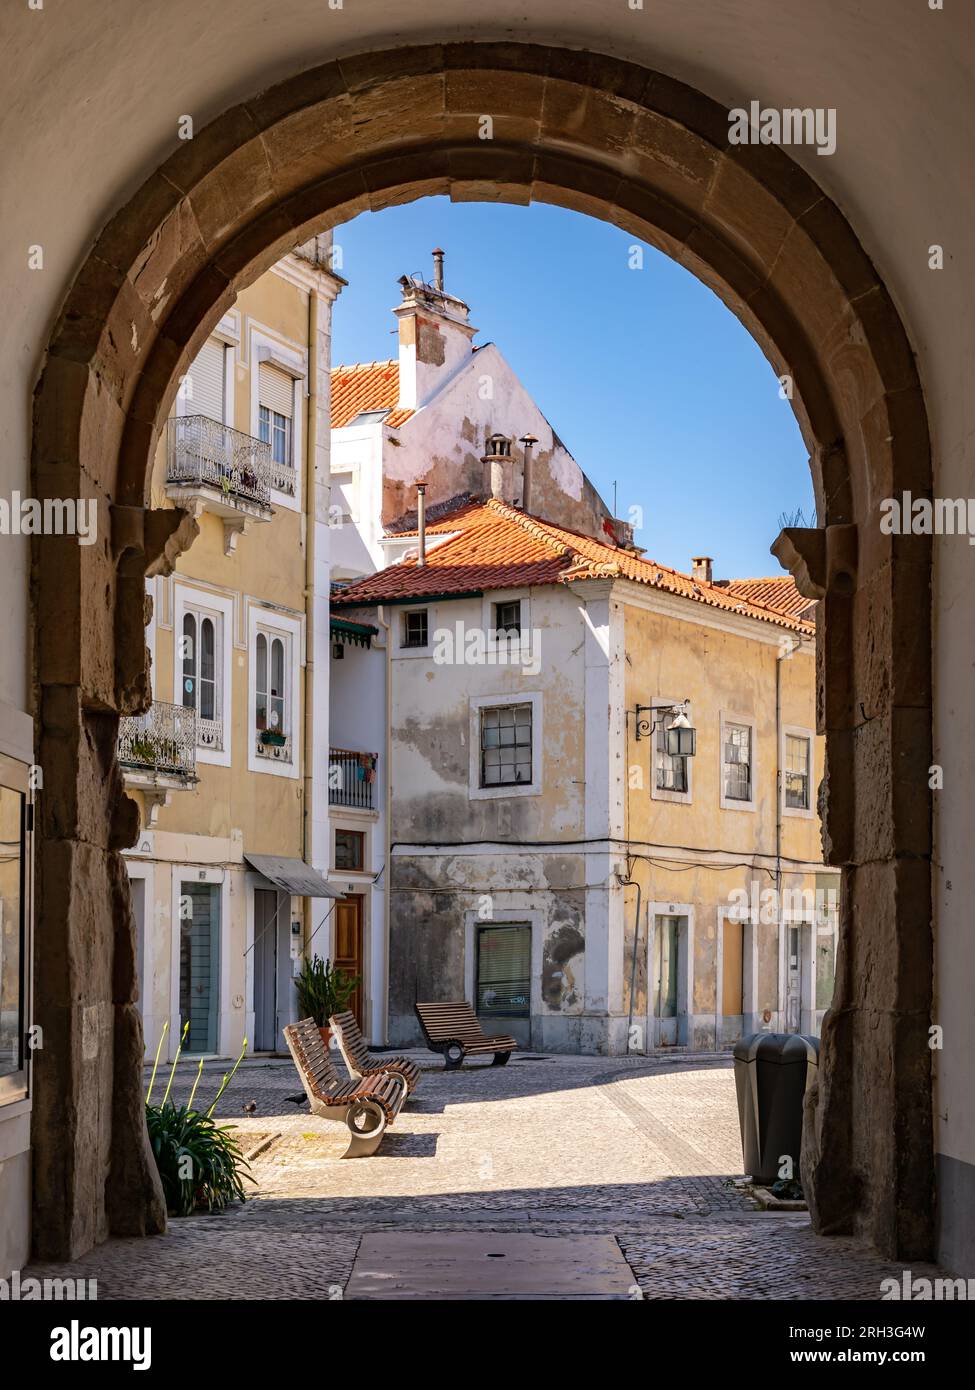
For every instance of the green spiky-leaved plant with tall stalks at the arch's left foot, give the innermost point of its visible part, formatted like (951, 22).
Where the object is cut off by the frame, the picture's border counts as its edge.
(200, 1161)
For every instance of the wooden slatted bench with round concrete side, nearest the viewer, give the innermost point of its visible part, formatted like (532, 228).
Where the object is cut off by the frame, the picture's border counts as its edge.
(366, 1106)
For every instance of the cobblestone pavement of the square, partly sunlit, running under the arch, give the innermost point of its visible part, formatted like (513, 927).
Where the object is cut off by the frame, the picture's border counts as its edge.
(646, 1150)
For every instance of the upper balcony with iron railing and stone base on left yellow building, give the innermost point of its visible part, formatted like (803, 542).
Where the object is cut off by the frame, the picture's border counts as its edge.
(211, 468)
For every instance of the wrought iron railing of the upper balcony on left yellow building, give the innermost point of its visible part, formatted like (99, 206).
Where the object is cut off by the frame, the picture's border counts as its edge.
(201, 452)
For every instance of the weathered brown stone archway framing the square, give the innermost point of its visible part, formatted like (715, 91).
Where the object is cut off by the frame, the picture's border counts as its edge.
(650, 155)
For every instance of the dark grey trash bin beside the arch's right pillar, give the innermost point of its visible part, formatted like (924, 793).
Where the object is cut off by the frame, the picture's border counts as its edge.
(773, 1072)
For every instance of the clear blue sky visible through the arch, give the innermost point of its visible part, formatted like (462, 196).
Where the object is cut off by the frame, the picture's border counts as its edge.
(645, 375)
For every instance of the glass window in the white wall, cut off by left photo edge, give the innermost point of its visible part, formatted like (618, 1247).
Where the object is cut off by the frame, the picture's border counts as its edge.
(13, 938)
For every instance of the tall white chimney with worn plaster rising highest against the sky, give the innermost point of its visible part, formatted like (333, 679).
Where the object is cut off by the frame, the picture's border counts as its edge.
(435, 337)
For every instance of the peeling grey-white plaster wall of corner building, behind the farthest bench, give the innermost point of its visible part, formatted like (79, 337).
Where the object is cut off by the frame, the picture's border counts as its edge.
(437, 896)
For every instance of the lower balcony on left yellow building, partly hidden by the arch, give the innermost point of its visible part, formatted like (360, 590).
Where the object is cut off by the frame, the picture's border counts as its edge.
(158, 754)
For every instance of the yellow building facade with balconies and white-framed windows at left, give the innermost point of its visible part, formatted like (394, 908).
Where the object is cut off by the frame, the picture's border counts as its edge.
(229, 871)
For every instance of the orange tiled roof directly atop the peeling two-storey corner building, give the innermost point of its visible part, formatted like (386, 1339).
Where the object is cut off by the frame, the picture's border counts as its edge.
(489, 546)
